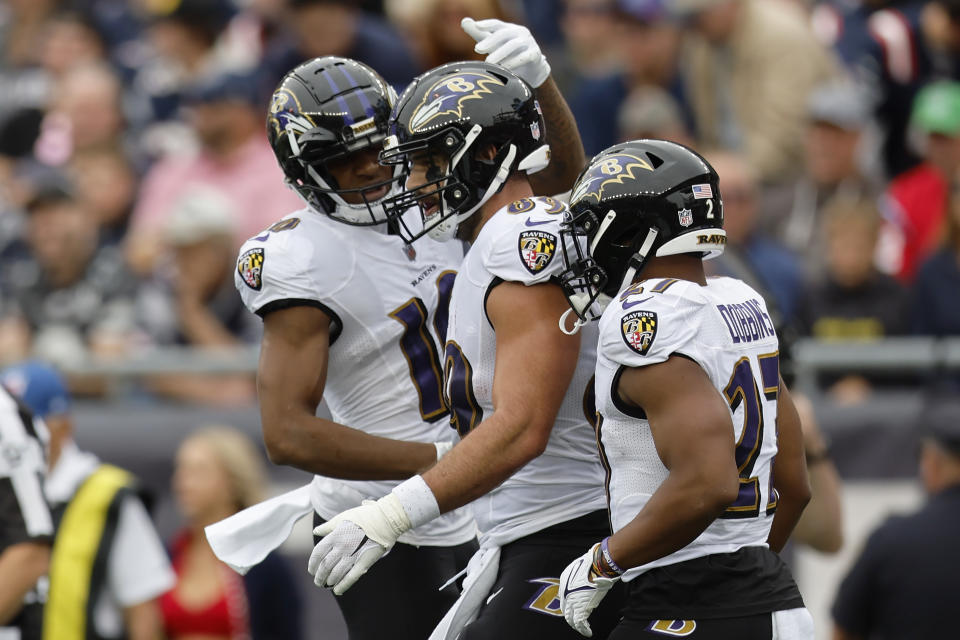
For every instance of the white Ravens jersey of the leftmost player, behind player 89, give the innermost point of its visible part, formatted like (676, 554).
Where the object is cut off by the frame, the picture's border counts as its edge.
(387, 306)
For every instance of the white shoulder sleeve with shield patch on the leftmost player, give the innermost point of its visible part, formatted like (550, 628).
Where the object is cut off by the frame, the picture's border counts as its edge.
(283, 266)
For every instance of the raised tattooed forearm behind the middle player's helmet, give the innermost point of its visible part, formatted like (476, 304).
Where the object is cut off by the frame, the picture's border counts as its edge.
(567, 157)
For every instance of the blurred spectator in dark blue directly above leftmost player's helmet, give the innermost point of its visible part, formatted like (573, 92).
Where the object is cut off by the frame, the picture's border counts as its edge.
(341, 28)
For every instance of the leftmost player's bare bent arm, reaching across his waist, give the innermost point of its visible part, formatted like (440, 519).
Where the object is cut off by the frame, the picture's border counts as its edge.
(290, 380)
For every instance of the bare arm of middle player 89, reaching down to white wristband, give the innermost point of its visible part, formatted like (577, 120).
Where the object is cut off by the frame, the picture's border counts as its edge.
(534, 366)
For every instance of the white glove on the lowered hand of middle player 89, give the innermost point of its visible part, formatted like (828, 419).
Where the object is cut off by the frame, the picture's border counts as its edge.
(354, 540)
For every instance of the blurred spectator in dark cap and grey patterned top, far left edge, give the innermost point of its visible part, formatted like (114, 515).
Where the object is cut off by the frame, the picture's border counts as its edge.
(64, 297)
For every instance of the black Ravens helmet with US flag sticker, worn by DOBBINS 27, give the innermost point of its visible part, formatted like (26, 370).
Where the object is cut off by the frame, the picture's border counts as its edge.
(636, 200)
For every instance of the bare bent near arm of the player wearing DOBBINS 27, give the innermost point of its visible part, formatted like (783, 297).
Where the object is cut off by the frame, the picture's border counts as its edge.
(692, 431)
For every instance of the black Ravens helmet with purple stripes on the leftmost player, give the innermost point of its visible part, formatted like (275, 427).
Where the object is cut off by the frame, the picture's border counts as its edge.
(322, 111)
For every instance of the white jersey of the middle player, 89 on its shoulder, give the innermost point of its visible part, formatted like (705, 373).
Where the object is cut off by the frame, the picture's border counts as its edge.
(520, 243)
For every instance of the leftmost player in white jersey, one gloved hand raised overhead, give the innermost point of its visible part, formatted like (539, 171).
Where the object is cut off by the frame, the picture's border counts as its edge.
(355, 315)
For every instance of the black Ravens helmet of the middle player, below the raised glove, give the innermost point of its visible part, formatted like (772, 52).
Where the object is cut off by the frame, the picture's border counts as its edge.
(450, 113)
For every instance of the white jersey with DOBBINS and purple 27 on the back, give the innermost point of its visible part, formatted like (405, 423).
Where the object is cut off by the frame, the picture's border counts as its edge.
(725, 328)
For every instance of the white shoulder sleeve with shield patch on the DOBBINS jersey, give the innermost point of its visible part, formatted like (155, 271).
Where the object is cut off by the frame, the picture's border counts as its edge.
(654, 321)
